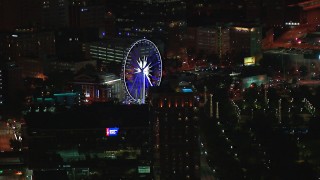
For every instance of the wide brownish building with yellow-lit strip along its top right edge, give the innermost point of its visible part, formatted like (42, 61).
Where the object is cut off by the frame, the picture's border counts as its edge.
(240, 41)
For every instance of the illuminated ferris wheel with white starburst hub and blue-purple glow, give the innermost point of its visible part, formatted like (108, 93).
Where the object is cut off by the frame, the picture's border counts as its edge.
(142, 69)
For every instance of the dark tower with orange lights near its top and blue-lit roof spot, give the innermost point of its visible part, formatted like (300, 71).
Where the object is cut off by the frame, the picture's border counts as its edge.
(176, 128)
